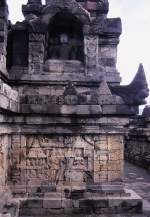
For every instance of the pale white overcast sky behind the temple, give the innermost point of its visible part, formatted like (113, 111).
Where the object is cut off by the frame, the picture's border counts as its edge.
(134, 47)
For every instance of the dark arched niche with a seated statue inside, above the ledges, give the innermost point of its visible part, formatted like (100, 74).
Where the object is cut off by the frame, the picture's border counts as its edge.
(65, 39)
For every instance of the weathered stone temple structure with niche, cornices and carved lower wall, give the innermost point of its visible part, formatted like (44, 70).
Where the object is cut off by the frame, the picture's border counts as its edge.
(63, 112)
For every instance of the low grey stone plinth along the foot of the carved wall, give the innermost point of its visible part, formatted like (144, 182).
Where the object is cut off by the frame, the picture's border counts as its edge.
(92, 203)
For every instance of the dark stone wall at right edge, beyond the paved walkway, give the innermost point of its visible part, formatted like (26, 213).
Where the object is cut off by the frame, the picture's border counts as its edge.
(137, 143)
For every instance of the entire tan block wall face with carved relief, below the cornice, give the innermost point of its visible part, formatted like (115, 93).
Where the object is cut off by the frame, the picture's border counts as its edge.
(64, 160)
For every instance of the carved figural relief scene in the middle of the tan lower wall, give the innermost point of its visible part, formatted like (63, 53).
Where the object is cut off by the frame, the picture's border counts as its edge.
(55, 160)
